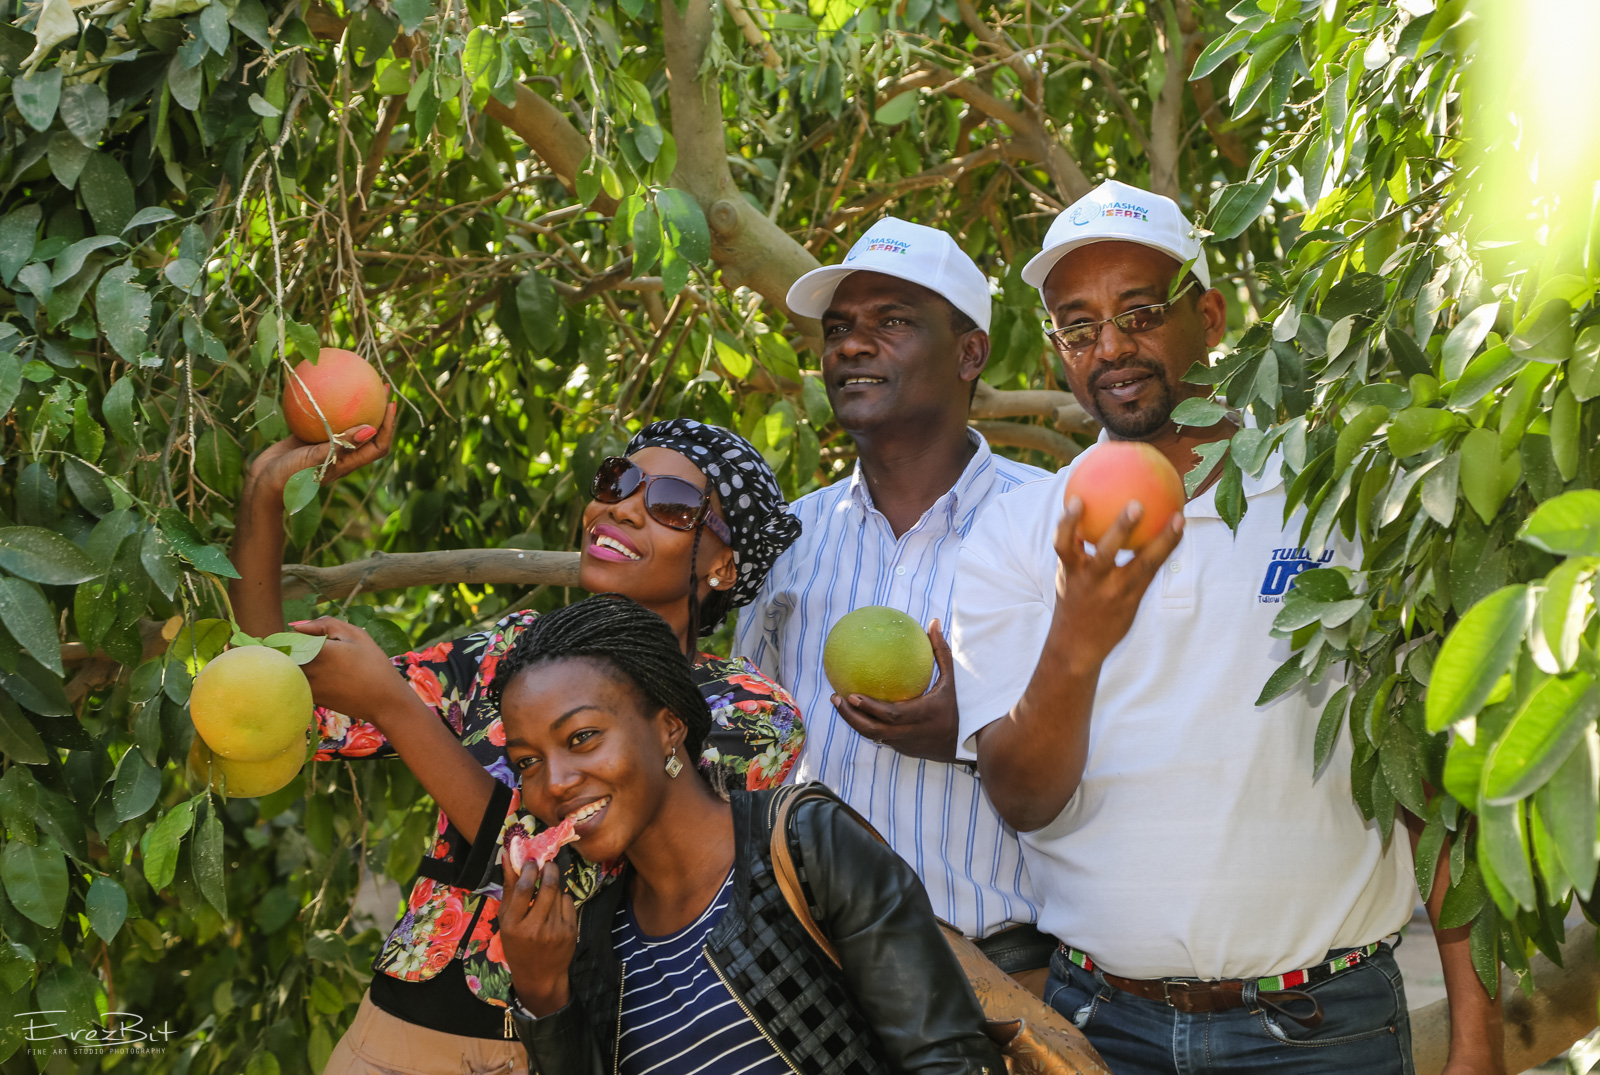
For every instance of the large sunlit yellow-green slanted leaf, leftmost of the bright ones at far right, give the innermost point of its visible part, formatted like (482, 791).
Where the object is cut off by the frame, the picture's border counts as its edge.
(1476, 653)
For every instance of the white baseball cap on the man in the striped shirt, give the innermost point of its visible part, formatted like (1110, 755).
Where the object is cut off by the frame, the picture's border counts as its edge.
(910, 252)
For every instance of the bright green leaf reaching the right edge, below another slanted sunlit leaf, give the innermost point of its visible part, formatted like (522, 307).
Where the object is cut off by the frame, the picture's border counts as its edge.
(1540, 738)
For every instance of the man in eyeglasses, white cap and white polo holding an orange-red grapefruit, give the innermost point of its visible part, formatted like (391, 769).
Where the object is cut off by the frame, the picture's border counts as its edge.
(1222, 906)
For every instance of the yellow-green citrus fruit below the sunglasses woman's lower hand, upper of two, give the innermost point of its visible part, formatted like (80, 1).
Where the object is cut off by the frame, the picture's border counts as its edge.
(252, 705)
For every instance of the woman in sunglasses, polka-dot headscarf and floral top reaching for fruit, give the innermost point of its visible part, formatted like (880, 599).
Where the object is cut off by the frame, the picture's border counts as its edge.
(686, 526)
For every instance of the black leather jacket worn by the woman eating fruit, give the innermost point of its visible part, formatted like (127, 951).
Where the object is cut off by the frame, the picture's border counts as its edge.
(898, 1001)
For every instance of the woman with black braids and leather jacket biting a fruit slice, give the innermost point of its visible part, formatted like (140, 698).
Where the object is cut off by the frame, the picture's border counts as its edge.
(694, 962)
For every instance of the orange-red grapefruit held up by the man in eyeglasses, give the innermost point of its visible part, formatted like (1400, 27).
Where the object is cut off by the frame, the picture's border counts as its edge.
(1111, 476)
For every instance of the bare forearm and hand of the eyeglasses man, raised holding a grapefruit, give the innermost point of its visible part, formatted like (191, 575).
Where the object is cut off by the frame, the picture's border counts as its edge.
(1033, 759)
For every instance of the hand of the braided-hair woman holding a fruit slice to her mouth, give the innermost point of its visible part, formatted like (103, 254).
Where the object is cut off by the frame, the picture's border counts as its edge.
(538, 933)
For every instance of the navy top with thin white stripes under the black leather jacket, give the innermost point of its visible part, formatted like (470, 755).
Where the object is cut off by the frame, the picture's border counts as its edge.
(678, 1015)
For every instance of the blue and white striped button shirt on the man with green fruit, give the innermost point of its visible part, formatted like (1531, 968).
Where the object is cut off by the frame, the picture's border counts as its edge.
(934, 815)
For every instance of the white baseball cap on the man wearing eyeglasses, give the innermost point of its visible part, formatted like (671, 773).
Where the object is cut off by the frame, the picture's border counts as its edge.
(1118, 212)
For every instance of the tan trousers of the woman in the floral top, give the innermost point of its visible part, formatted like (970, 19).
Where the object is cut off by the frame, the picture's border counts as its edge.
(380, 1044)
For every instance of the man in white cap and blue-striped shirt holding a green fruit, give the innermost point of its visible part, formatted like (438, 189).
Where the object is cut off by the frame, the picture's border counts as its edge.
(905, 327)
